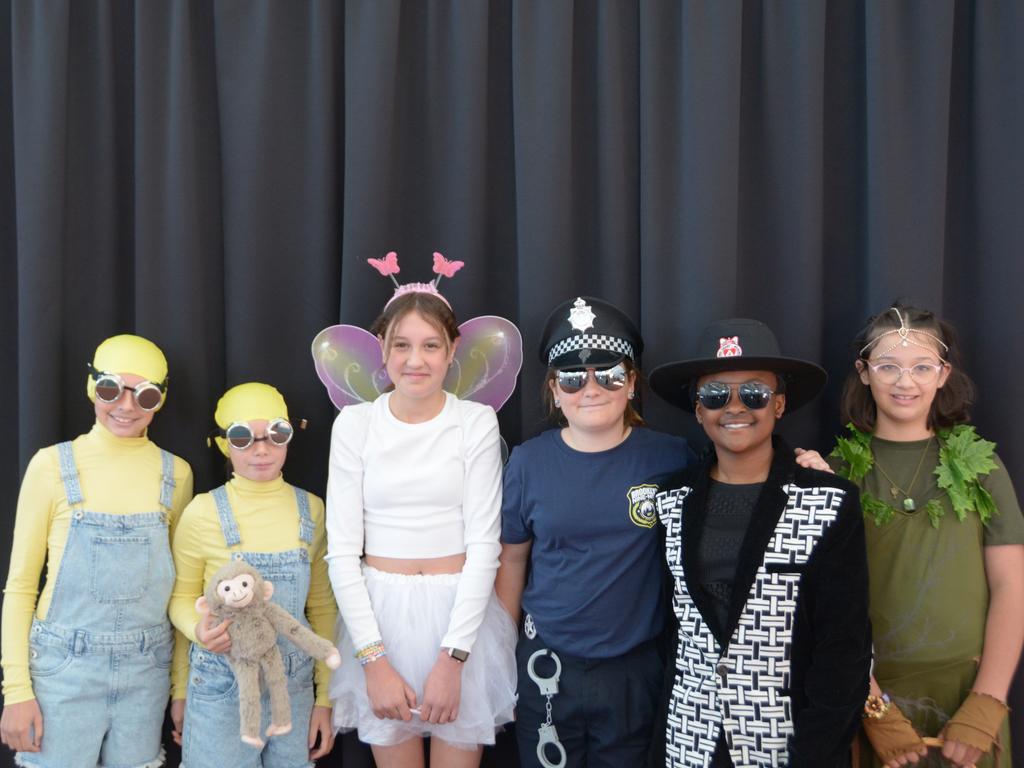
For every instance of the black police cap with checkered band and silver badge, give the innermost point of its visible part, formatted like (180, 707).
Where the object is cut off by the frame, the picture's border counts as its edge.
(588, 333)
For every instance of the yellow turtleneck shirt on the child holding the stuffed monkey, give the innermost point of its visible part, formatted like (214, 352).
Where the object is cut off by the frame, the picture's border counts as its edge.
(268, 520)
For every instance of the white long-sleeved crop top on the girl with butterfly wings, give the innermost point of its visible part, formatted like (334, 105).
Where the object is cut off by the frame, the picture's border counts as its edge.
(414, 491)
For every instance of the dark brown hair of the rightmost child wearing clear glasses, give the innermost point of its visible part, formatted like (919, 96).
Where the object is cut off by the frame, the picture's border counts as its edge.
(953, 402)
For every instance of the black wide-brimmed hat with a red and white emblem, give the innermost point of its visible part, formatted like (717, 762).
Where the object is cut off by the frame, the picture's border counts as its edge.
(738, 345)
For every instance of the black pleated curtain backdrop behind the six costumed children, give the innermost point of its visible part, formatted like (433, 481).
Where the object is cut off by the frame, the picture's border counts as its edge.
(214, 176)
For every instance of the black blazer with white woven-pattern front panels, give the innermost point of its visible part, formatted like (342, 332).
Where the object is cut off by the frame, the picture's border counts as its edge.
(787, 679)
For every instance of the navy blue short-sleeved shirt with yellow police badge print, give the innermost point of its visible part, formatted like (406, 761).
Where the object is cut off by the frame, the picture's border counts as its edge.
(595, 581)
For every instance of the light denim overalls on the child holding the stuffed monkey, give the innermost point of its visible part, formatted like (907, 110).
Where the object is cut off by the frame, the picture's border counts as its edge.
(212, 737)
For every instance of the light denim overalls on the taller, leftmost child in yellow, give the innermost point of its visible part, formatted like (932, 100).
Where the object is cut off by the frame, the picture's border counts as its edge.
(101, 660)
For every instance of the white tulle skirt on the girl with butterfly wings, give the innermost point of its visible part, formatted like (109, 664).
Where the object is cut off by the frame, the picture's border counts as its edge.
(413, 614)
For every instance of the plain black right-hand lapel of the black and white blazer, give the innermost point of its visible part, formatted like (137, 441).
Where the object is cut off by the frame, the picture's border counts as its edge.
(770, 508)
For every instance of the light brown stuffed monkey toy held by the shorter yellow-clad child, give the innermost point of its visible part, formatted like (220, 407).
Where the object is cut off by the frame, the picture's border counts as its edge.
(238, 592)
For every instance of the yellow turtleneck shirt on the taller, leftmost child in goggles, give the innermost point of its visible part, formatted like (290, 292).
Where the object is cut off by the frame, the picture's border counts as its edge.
(118, 476)
